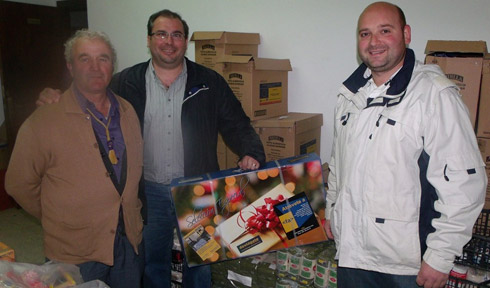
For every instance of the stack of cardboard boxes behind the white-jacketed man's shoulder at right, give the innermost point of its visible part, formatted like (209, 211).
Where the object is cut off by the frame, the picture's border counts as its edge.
(467, 63)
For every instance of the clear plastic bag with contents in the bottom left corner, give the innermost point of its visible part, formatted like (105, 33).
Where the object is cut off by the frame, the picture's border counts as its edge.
(48, 275)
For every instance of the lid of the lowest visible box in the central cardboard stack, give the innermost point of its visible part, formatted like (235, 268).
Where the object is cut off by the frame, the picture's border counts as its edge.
(301, 121)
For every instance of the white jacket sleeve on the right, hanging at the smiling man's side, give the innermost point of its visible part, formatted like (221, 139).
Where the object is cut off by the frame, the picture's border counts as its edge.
(457, 172)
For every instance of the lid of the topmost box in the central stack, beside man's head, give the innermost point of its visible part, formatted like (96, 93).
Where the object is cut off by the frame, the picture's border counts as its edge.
(227, 37)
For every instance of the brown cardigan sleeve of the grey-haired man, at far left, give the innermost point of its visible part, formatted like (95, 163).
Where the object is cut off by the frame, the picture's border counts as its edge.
(25, 171)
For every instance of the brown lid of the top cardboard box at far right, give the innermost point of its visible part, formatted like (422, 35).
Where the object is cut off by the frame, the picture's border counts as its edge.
(433, 46)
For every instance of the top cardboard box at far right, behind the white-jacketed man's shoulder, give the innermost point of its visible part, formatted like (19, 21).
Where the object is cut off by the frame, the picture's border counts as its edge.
(462, 62)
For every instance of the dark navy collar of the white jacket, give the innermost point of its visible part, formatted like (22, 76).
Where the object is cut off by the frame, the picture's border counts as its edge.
(398, 84)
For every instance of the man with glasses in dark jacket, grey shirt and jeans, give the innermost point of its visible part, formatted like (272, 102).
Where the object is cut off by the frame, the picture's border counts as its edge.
(182, 106)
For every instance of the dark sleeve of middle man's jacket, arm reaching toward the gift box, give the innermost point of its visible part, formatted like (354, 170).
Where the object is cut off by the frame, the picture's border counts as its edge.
(235, 128)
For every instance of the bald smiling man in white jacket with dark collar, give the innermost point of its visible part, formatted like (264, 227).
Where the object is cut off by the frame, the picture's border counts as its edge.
(407, 181)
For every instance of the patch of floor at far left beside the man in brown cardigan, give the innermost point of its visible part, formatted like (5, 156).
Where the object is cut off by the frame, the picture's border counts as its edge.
(23, 233)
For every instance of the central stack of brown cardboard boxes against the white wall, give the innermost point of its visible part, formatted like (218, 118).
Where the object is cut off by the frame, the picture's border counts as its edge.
(261, 85)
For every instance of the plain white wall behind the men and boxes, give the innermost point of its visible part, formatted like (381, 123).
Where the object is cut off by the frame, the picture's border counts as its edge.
(319, 36)
